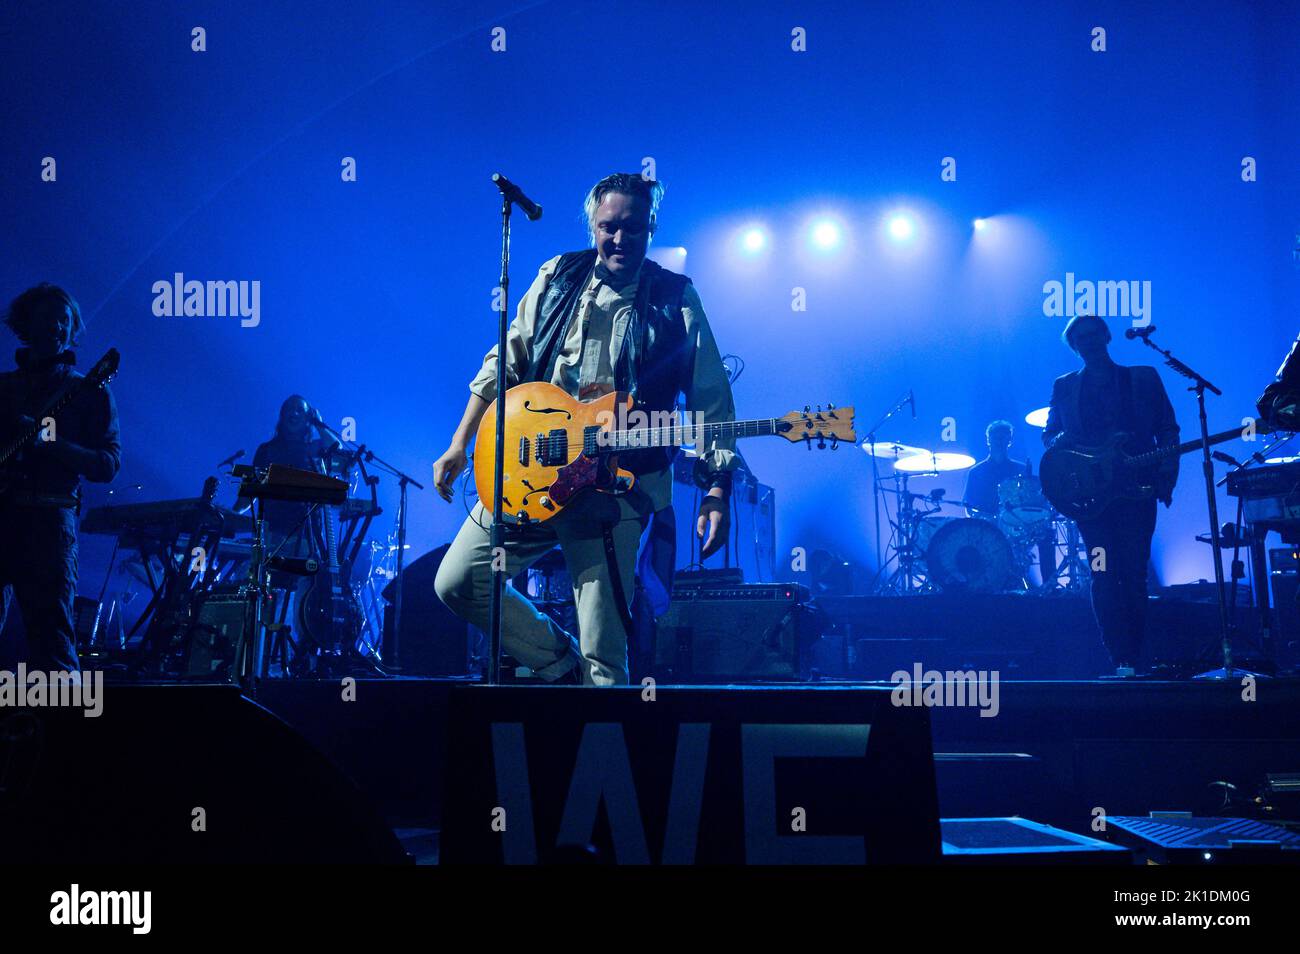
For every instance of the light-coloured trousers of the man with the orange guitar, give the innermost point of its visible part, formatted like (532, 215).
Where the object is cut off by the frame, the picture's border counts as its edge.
(530, 636)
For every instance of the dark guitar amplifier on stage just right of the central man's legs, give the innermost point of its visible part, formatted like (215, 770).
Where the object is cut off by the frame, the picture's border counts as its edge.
(743, 634)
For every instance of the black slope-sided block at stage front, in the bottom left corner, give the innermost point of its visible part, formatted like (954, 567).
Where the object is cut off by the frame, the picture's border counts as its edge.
(136, 783)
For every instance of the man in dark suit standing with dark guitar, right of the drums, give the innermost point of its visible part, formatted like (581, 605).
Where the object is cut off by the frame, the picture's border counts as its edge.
(1089, 407)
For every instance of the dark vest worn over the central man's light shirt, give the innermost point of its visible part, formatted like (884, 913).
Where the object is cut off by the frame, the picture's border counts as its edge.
(657, 358)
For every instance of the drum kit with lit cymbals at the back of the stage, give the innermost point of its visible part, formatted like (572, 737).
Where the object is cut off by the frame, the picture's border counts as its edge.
(977, 550)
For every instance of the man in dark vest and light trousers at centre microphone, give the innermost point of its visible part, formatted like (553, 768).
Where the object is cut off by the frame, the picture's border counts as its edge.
(595, 322)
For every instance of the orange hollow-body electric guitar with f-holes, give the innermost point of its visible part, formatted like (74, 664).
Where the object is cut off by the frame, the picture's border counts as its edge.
(557, 446)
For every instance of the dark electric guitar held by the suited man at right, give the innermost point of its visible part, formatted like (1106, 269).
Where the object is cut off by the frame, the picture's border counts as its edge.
(1082, 483)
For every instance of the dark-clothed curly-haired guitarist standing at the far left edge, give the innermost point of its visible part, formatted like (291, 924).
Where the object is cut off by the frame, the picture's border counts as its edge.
(40, 493)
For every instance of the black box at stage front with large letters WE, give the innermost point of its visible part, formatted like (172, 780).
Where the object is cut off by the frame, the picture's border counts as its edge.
(692, 777)
